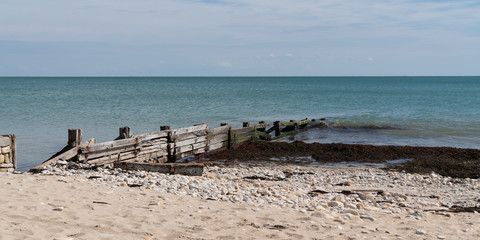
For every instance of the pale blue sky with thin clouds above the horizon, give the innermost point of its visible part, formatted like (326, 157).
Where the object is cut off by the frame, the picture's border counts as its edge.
(239, 38)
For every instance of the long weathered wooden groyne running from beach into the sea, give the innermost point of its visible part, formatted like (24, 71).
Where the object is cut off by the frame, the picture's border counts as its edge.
(167, 145)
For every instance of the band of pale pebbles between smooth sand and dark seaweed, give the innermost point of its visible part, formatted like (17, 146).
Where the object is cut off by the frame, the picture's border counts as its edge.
(413, 193)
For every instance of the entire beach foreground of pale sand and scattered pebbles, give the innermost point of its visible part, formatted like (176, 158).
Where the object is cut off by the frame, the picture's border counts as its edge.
(303, 203)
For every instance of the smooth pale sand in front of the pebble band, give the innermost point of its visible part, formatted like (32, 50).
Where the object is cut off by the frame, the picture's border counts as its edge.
(55, 207)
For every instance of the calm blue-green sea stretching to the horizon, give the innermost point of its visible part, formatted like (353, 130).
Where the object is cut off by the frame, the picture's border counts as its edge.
(415, 111)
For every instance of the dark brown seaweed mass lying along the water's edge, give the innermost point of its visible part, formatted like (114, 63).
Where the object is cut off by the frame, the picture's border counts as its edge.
(446, 161)
